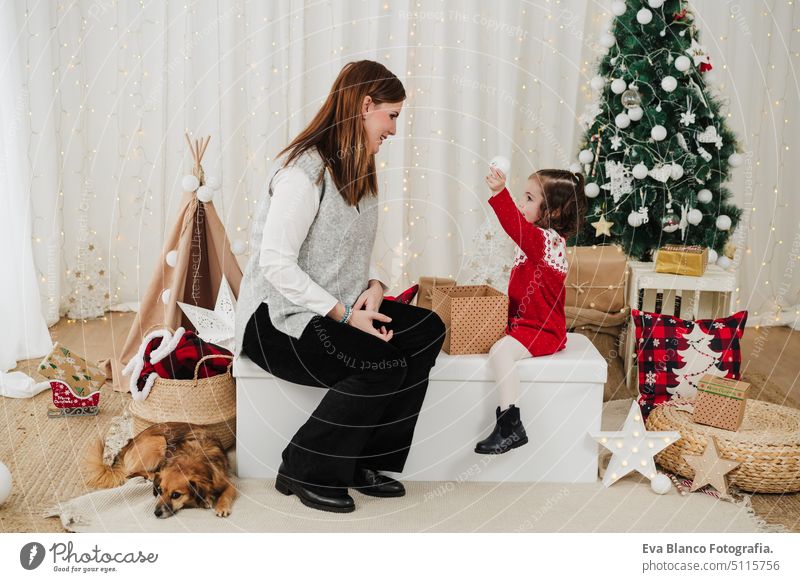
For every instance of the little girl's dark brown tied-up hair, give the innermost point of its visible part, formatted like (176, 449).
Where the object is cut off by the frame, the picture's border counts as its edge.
(564, 201)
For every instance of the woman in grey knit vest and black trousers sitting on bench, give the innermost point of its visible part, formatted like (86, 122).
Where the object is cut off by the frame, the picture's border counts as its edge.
(311, 307)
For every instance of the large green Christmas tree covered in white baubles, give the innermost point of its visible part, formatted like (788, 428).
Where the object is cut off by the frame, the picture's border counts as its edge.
(656, 152)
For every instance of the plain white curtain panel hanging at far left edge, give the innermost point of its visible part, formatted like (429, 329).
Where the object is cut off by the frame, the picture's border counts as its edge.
(24, 333)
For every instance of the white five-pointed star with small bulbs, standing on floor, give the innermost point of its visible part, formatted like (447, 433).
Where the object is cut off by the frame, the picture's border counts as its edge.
(633, 447)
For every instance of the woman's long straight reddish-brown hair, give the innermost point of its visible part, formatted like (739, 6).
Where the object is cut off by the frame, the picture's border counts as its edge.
(337, 130)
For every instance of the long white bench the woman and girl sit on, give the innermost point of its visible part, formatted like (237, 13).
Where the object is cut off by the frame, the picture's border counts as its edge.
(561, 401)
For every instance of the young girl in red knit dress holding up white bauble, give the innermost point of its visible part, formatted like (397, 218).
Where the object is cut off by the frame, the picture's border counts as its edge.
(551, 211)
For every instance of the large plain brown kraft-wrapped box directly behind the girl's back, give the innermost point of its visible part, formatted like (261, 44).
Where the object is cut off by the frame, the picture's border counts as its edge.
(596, 278)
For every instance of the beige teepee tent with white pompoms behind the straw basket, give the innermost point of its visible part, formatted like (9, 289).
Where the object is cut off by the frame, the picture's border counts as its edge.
(196, 256)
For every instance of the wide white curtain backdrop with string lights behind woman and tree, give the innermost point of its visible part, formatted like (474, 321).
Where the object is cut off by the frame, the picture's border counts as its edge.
(112, 86)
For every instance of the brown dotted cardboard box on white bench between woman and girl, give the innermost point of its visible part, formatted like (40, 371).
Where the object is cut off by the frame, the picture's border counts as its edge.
(475, 316)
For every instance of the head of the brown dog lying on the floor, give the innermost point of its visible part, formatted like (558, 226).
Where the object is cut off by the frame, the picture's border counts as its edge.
(180, 485)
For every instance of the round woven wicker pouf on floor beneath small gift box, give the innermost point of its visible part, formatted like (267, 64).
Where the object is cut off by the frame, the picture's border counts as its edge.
(767, 445)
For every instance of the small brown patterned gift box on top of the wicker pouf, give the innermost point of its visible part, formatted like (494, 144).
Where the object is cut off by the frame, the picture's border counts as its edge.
(720, 402)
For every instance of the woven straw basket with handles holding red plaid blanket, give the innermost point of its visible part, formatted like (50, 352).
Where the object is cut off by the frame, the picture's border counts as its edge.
(209, 402)
